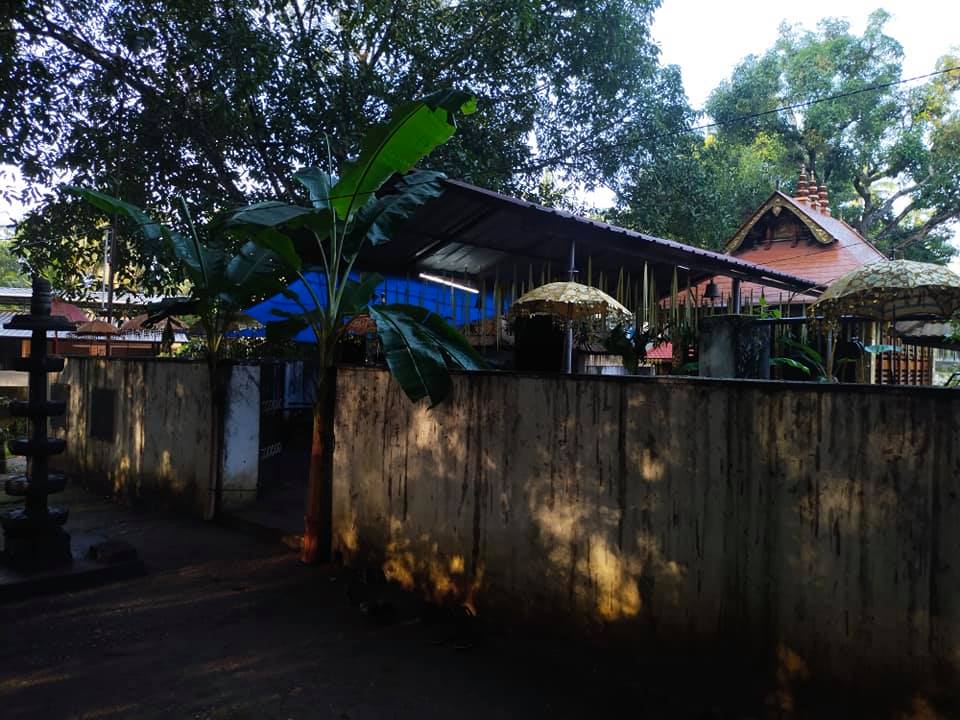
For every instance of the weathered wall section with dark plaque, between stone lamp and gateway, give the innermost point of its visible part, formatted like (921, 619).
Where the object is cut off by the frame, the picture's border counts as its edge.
(160, 447)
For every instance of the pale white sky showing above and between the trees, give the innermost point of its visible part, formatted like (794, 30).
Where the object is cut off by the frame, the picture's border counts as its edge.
(706, 39)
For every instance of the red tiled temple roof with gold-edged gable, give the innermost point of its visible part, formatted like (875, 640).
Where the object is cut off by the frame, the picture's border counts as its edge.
(837, 250)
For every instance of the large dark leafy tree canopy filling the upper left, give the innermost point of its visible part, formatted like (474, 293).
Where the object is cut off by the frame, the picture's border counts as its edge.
(214, 101)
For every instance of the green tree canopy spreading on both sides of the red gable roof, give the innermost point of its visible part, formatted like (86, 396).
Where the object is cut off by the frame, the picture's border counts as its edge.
(889, 151)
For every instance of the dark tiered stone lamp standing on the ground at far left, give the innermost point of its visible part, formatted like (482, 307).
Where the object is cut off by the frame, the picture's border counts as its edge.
(34, 538)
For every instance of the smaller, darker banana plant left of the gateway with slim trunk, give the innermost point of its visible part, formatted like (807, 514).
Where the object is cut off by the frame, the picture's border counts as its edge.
(221, 284)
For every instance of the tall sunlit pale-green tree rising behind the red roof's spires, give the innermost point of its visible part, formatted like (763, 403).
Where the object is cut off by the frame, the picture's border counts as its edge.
(888, 151)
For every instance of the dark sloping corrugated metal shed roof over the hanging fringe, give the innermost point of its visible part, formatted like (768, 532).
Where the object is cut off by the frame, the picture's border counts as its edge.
(481, 233)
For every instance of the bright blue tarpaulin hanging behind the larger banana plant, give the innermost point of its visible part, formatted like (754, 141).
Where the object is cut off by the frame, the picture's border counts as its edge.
(457, 307)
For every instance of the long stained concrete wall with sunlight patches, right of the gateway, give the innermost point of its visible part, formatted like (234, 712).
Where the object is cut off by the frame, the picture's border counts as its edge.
(819, 521)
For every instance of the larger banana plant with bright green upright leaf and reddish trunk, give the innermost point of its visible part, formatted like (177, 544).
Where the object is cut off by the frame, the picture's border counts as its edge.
(375, 194)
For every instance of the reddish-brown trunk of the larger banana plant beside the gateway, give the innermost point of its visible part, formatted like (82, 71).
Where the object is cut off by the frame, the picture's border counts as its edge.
(318, 518)
